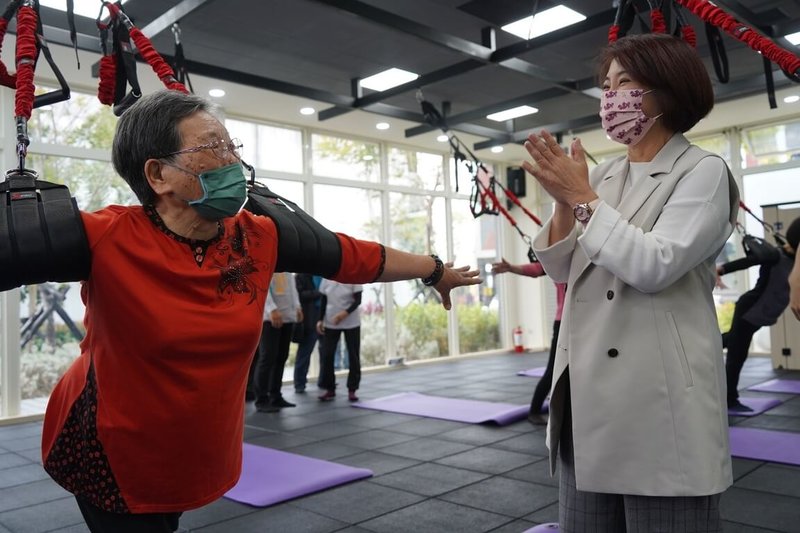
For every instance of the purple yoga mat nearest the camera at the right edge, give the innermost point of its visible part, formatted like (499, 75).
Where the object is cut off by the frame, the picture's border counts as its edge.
(765, 445)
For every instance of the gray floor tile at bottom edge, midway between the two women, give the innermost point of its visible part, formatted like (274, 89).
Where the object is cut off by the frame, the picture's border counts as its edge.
(436, 516)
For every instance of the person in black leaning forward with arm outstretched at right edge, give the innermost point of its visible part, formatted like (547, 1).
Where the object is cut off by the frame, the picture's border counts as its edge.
(760, 306)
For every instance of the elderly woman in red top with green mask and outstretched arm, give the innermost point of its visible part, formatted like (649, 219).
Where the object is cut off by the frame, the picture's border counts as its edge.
(148, 421)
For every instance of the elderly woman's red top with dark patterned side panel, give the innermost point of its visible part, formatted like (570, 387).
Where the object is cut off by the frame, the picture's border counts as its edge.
(150, 417)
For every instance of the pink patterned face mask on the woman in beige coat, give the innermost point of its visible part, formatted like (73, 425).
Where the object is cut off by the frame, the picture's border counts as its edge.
(622, 116)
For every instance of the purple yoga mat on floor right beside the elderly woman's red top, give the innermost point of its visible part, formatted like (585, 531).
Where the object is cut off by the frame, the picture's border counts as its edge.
(271, 476)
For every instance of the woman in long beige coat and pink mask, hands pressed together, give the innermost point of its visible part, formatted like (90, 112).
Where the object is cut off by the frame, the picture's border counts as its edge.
(638, 419)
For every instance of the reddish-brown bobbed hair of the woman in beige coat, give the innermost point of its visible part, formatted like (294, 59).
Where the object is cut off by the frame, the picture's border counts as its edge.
(670, 66)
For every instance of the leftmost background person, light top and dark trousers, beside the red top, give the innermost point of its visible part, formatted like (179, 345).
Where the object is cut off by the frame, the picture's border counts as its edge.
(281, 313)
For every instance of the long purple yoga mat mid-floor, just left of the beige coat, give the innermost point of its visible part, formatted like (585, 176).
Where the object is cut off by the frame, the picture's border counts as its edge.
(471, 411)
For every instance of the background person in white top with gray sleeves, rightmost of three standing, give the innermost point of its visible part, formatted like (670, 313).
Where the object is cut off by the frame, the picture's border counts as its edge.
(340, 315)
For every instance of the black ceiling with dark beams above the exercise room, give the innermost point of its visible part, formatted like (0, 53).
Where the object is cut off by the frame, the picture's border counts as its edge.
(316, 48)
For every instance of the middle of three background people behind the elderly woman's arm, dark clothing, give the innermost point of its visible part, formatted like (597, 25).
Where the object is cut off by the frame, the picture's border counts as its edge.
(306, 334)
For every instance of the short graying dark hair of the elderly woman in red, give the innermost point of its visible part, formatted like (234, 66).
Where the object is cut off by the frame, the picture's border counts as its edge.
(148, 129)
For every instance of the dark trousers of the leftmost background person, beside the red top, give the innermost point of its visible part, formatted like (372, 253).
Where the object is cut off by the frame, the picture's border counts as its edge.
(273, 351)
